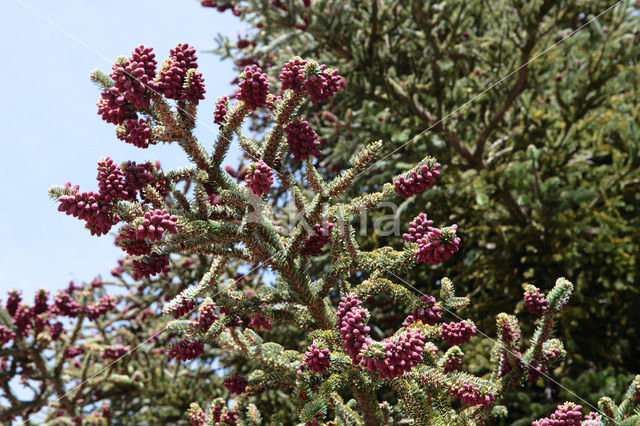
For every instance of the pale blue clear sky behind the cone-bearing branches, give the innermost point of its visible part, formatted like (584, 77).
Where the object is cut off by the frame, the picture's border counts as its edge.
(51, 132)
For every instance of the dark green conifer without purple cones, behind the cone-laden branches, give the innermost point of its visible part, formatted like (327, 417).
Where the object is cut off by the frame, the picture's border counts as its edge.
(530, 107)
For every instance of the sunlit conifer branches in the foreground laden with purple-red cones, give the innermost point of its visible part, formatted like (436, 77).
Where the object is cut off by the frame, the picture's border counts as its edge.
(216, 310)
